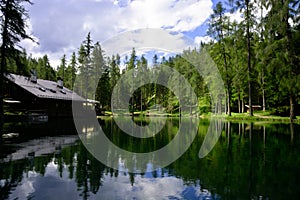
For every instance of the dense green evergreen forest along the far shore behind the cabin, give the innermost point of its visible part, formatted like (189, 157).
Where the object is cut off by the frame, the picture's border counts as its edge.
(257, 57)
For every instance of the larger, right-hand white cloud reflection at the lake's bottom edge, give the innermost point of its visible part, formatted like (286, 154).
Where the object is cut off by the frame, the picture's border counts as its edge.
(166, 187)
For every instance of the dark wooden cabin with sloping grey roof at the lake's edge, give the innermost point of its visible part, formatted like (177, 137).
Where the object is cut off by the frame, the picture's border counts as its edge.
(33, 96)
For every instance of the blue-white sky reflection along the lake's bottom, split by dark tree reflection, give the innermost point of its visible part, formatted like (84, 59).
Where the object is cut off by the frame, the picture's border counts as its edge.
(52, 186)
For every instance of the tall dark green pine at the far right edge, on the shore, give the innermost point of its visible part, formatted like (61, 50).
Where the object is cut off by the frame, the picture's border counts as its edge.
(282, 47)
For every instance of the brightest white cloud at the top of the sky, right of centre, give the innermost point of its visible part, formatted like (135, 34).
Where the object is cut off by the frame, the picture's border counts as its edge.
(174, 15)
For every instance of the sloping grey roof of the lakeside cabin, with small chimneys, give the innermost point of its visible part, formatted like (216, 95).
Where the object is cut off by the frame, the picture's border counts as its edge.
(44, 88)
